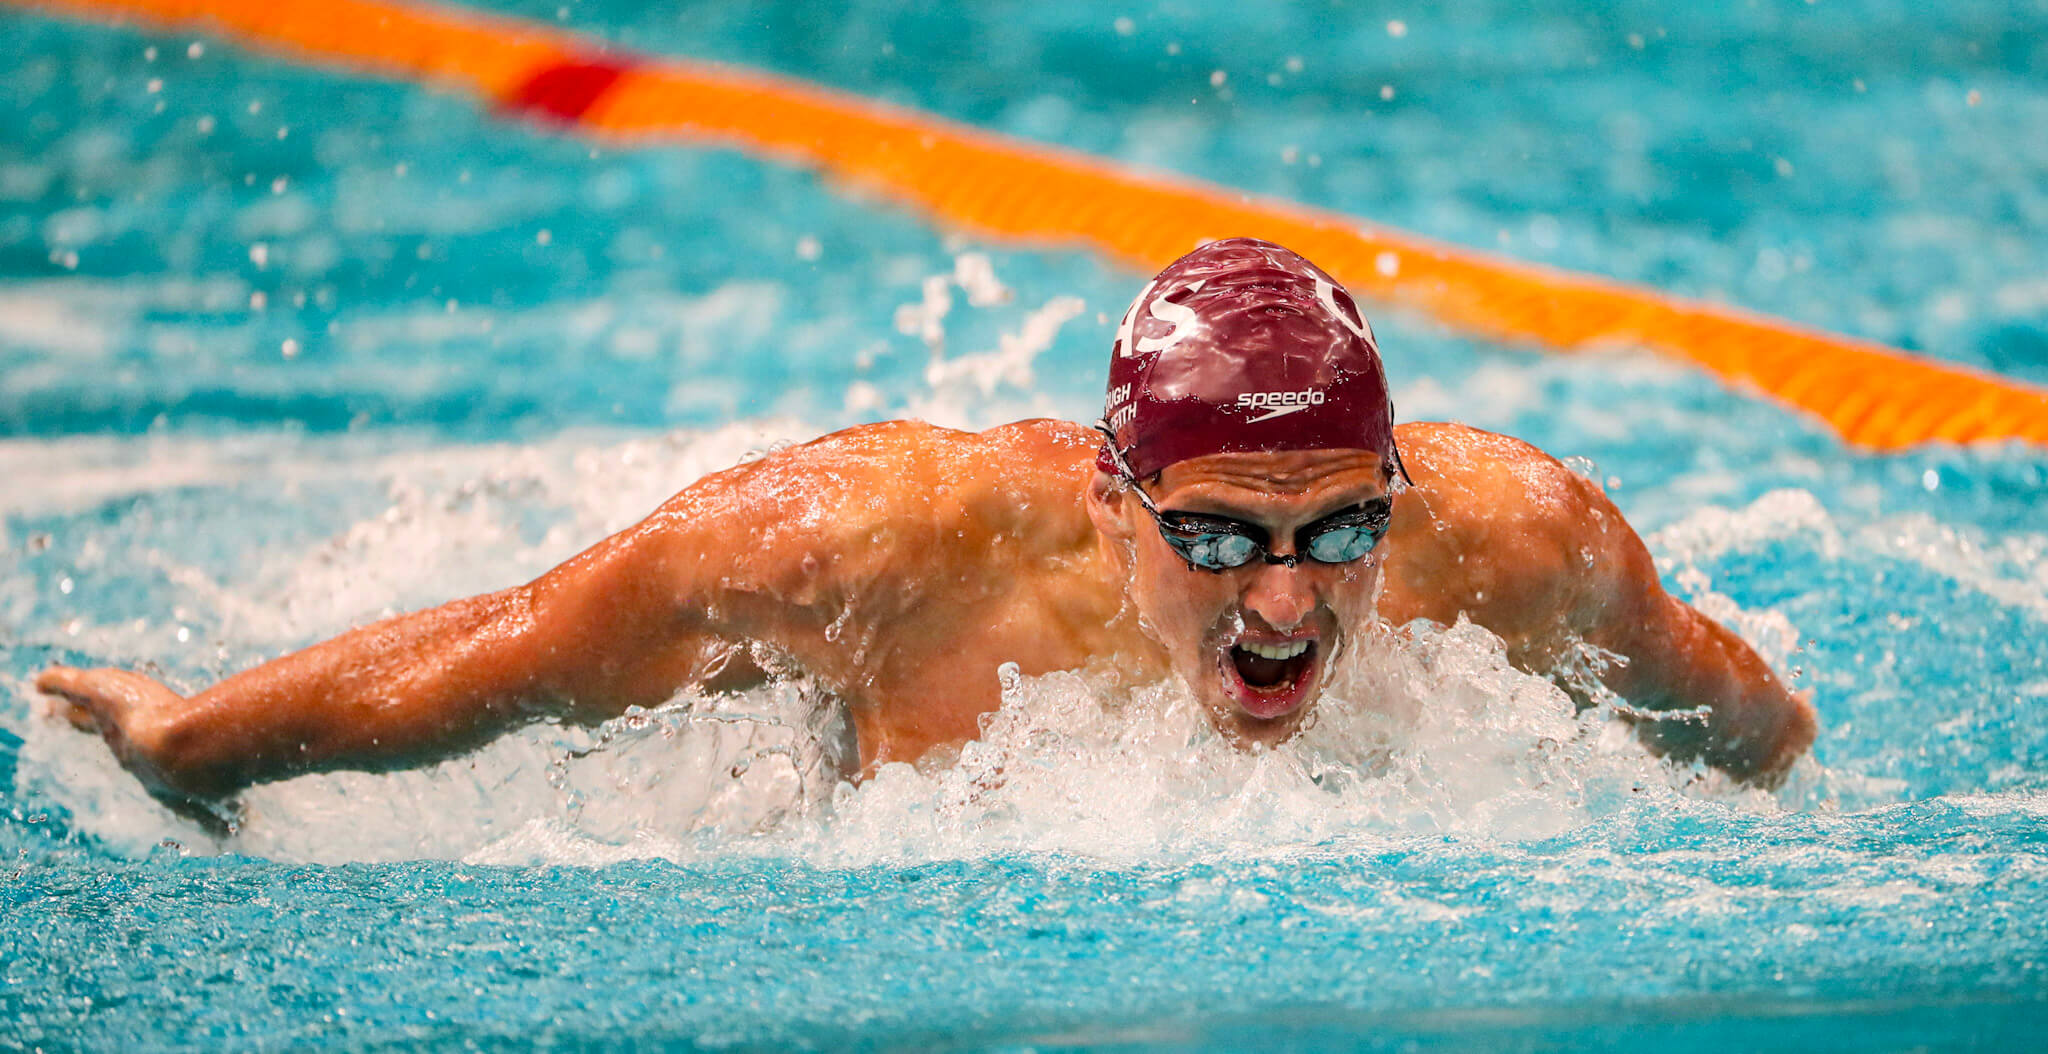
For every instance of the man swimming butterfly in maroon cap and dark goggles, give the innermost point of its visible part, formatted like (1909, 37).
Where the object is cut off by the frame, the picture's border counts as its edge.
(1242, 513)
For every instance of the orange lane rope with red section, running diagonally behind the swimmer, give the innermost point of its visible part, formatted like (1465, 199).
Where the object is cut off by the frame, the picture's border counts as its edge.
(1011, 189)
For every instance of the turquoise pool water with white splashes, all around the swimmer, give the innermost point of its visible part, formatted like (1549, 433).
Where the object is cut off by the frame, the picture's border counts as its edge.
(284, 351)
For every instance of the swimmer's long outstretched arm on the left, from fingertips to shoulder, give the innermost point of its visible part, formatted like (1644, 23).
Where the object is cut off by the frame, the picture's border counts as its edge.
(769, 552)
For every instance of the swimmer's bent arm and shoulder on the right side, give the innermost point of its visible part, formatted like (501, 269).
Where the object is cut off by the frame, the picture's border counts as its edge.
(1539, 556)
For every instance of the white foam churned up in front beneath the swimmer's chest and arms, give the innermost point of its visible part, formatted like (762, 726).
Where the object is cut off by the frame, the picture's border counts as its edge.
(1424, 734)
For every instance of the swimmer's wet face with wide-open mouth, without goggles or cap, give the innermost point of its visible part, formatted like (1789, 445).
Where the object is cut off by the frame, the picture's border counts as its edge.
(1256, 642)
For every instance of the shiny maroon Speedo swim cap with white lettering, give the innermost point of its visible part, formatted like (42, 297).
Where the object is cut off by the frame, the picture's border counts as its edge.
(1244, 347)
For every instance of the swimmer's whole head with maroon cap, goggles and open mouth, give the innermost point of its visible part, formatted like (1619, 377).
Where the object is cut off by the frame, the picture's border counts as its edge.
(1248, 476)
